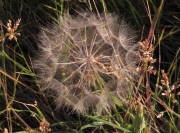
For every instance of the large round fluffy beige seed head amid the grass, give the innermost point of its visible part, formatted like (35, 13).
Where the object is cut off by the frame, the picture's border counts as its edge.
(86, 60)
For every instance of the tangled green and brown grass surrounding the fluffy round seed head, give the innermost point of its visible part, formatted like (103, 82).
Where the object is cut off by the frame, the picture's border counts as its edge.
(23, 108)
